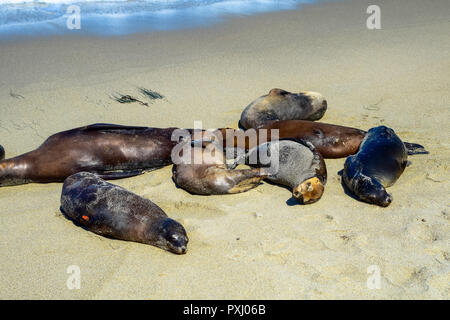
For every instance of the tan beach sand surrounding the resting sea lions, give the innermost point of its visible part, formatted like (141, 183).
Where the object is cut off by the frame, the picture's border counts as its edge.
(253, 245)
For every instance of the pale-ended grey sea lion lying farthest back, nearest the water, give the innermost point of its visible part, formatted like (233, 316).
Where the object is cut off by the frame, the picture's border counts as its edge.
(279, 104)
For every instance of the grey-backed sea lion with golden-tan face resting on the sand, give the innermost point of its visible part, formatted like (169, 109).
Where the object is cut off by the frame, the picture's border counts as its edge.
(299, 166)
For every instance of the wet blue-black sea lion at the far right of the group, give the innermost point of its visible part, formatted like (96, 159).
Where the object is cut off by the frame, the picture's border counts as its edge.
(381, 159)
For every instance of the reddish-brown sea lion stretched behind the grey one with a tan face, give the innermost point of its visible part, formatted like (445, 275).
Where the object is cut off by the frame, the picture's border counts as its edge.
(331, 141)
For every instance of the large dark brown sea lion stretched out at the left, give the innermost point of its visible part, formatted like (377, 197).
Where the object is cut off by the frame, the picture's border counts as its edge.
(109, 150)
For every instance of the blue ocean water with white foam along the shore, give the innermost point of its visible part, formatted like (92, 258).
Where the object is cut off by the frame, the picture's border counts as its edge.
(120, 17)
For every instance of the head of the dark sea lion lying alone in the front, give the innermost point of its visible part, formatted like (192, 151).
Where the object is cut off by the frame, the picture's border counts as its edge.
(172, 237)
